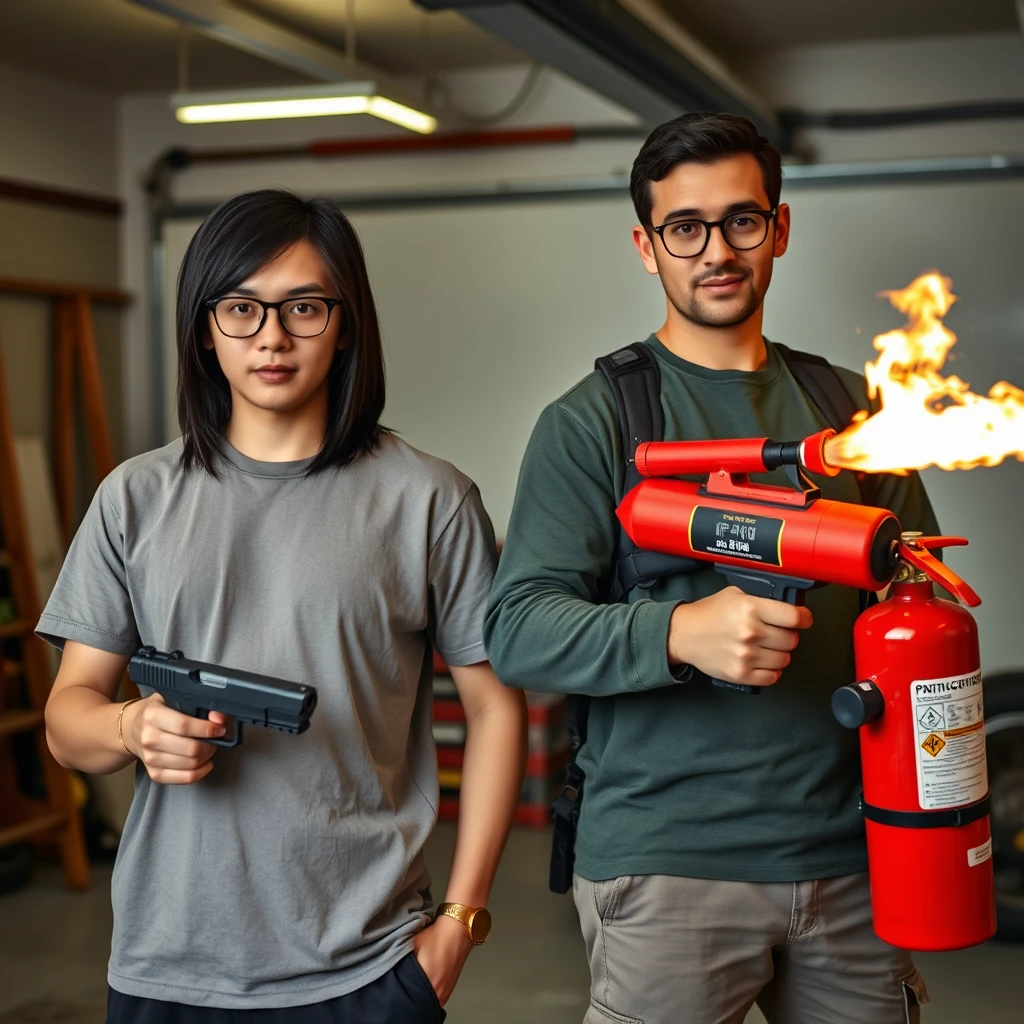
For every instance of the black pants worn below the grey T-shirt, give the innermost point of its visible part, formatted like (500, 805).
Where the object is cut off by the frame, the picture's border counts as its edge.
(404, 996)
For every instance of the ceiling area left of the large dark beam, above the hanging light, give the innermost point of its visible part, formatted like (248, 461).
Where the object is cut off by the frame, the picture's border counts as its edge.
(118, 48)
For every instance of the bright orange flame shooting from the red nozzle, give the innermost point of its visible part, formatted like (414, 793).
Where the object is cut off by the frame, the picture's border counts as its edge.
(926, 419)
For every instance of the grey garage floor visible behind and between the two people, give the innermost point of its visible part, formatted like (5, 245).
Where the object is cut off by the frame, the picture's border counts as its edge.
(54, 949)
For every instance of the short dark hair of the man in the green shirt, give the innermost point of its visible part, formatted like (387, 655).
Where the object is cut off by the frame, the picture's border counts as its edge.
(701, 139)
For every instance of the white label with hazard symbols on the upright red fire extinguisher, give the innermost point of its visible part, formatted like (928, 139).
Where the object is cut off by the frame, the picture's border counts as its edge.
(950, 738)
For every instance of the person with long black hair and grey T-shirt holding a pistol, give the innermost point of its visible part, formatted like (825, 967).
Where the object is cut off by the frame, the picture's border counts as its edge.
(287, 534)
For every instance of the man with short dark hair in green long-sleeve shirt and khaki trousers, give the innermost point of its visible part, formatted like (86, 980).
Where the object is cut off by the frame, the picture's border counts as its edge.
(720, 857)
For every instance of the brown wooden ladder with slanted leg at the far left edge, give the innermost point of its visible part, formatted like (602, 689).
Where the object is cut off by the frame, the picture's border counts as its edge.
(22, 818)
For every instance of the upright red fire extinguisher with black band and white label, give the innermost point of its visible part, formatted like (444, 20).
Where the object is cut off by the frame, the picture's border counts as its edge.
(920, 712)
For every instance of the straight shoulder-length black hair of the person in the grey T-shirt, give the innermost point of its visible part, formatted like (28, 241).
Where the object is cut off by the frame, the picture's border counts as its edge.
(240, 237)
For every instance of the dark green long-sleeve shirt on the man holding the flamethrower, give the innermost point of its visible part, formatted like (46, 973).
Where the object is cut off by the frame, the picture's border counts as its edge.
(682, 779)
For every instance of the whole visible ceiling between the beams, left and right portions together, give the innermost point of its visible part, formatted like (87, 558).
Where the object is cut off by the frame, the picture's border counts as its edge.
(119, 48)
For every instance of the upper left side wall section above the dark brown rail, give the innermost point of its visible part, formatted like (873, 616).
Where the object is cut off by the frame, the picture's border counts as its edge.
(57, 134)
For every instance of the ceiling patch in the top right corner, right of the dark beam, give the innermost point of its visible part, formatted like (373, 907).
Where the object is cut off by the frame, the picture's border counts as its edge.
(736, 28)
